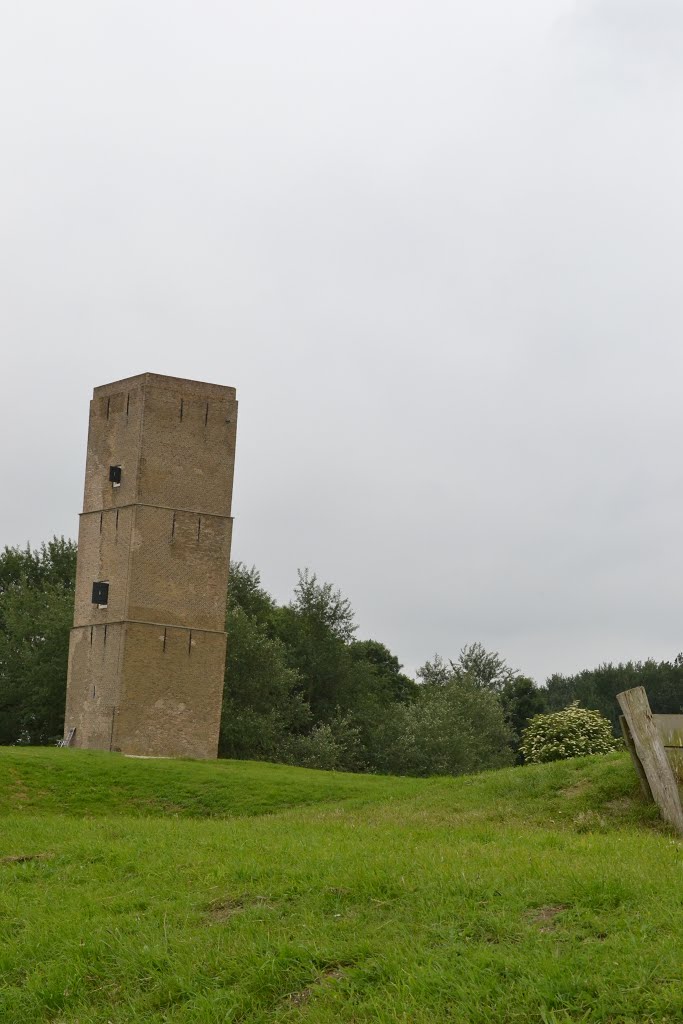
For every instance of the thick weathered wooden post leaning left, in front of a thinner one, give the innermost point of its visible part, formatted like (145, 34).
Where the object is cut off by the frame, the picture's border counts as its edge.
(652, 755)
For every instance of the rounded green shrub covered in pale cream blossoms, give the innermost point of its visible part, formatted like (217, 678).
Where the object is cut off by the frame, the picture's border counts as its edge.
(573, 733)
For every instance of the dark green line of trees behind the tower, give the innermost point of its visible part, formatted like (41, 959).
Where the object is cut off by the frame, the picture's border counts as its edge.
(301, 689)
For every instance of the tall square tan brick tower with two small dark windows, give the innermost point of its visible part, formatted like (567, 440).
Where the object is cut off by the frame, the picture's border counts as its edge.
(148, 650)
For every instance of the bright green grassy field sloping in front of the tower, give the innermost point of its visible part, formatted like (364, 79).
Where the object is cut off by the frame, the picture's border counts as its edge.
(172, 891)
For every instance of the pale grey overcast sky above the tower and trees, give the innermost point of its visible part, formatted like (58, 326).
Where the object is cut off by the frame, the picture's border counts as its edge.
(436, 246)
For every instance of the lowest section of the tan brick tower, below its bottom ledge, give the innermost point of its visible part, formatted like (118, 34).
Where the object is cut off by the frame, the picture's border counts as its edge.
(146, 690)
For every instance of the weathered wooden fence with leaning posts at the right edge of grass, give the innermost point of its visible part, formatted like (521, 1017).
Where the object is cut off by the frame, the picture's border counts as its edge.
(656, 744)
